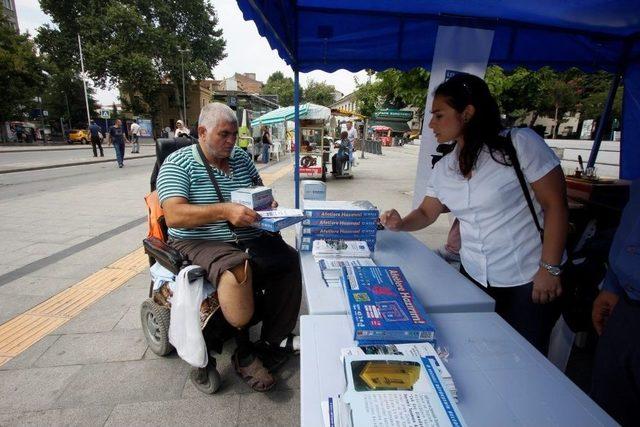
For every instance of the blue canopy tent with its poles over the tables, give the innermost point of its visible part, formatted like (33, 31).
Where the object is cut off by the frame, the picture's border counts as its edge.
(379, 34)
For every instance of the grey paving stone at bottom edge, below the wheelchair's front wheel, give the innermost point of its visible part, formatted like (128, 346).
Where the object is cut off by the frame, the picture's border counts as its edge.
(211, 410)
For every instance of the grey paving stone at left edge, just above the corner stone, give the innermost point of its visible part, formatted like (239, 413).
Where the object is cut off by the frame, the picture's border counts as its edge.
(34, 389)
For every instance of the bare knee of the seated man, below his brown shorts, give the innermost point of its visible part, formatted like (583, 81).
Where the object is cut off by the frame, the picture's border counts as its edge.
(235, 293)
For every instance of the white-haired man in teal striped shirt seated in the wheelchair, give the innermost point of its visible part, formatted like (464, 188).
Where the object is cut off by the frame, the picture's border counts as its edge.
(242, 261)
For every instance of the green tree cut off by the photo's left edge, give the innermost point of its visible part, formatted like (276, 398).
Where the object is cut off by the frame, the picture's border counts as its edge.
(21, 77)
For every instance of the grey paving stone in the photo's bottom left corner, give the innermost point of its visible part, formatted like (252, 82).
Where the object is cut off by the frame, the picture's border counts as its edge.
(86, 416)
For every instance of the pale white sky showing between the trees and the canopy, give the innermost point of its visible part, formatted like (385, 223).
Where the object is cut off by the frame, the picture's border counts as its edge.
(247, 52)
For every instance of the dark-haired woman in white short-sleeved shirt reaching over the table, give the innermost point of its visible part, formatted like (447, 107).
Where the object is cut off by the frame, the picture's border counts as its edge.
(502, 249)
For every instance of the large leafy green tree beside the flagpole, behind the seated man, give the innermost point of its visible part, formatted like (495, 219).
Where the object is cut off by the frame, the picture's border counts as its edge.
(135, 44)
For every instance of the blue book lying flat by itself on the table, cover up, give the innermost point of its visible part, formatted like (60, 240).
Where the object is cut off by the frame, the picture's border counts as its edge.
(384, 308)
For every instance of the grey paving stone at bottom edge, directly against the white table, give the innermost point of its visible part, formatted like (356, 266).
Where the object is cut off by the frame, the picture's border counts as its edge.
(274, 408)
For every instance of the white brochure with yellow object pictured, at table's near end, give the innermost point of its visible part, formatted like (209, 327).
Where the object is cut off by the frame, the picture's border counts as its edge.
(391, 391)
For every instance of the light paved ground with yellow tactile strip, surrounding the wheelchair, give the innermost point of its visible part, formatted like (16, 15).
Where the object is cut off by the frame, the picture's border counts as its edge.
(78, 230)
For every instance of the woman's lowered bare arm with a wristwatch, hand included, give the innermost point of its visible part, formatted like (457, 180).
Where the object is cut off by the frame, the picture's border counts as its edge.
(551, 193)
